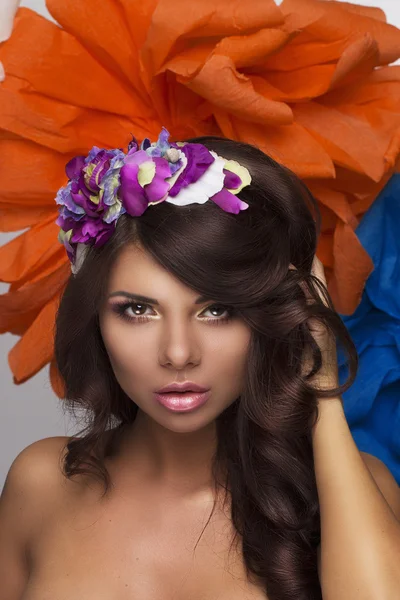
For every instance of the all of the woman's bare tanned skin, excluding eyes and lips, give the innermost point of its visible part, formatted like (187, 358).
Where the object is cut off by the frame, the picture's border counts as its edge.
(138, 543)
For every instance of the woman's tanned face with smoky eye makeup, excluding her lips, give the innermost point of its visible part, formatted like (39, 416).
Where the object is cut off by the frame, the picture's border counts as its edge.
(151, 345)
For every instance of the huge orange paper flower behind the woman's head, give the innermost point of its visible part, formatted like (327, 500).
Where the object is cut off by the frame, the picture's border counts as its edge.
(308, 82)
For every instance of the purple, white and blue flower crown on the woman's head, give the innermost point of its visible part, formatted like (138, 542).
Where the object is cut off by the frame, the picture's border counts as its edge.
(108, 183)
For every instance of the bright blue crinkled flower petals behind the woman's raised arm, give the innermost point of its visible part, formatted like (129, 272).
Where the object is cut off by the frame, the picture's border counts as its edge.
(372, 404)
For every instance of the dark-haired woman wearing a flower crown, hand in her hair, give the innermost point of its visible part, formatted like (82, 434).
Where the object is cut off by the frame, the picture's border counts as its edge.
(225, 485)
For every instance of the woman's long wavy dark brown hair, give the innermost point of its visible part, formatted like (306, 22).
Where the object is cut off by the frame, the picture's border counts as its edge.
(264, 436)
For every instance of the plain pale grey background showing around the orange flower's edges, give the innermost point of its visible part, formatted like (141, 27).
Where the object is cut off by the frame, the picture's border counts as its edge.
(31, 411)
